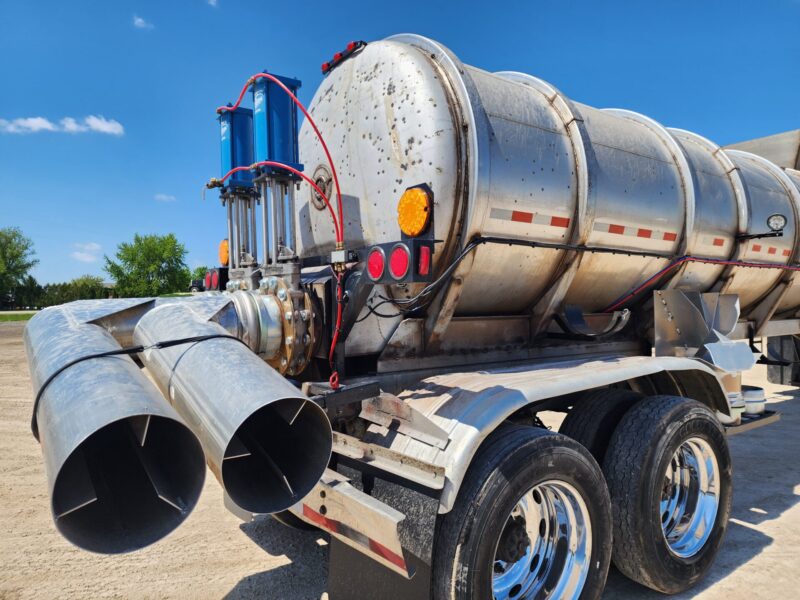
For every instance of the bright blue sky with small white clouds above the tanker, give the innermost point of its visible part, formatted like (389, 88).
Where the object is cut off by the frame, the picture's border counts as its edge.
(119, 97)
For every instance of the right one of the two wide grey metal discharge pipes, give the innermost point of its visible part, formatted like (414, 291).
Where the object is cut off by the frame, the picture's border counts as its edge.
(265, 441)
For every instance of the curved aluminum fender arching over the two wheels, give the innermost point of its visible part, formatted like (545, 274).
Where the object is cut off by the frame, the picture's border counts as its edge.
(469, 406)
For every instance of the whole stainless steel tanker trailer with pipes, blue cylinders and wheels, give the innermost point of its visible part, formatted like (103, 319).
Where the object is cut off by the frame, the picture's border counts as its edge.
(436, 258)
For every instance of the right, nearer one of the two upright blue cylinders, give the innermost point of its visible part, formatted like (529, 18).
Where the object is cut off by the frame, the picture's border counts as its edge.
(275, 123)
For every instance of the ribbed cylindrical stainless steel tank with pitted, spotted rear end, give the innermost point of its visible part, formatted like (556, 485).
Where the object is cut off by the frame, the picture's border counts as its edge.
(509, 155)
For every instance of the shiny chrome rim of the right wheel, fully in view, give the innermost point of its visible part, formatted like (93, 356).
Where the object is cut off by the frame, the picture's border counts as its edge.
(690, 497)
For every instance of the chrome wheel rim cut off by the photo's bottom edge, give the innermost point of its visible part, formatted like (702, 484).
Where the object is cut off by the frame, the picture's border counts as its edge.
(553, 554)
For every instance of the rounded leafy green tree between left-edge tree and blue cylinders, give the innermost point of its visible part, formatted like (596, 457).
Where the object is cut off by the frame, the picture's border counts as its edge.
(151, 265)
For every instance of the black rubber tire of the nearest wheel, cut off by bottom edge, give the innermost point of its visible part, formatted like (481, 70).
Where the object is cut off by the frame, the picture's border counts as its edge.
(509, 463)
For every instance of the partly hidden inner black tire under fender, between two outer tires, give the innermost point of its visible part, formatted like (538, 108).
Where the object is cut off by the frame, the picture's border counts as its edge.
(595, 416)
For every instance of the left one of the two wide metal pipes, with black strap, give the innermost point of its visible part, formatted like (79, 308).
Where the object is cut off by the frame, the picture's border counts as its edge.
(122, 468)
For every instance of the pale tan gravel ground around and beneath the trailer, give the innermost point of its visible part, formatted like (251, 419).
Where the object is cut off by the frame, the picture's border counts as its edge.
(214, 555)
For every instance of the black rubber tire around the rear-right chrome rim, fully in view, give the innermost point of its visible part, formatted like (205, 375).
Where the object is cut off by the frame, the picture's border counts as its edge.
(635, 466)
